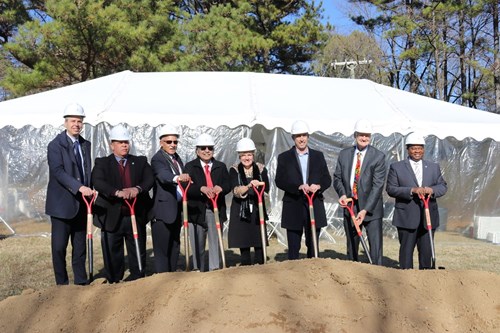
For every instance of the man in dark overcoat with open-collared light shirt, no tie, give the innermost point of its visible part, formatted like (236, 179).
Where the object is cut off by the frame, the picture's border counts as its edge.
(302, 170)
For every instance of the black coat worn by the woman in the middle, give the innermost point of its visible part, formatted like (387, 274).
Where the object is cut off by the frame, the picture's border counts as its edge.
(242, 232)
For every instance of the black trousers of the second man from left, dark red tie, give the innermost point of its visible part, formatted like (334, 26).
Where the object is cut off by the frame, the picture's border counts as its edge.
(113, 251)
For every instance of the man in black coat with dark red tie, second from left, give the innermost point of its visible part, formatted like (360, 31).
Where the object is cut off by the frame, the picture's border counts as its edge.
(119, 177)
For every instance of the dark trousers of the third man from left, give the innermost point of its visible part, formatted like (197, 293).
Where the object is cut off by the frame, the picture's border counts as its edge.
(166, 245)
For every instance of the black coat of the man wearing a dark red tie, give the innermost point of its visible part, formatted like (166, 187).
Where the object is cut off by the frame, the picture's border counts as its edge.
(107, 180)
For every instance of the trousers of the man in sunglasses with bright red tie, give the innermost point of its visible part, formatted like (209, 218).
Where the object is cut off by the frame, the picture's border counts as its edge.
(198, 236)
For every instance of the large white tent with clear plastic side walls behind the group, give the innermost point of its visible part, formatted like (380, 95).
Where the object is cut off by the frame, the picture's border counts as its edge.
(262, 106)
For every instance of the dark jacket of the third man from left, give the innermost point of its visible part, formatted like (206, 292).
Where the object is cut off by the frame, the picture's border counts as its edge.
(166, 208)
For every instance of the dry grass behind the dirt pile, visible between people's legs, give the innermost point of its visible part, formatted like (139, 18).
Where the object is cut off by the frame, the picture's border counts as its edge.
(26, 260)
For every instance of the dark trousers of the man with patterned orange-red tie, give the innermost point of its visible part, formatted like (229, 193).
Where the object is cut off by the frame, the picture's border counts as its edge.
(375, 239)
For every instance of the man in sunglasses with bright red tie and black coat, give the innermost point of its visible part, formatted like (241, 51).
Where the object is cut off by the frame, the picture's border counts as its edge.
(209, 178)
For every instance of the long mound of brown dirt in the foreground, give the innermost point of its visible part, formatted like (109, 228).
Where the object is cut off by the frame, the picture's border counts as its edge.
(311, 295)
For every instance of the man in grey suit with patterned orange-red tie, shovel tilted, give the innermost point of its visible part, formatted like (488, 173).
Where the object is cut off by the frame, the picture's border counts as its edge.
(365, 187)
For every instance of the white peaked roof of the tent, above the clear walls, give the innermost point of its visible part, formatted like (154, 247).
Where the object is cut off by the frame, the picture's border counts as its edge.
(232, 99)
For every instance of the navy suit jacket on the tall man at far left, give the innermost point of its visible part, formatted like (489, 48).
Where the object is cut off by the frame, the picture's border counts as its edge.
(63, 196)
